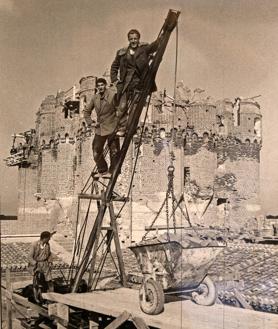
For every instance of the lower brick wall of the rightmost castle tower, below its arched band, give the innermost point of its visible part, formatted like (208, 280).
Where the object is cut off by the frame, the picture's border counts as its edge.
(237, 183)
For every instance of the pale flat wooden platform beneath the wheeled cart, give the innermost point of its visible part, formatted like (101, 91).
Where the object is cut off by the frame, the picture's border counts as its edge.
(177, 315)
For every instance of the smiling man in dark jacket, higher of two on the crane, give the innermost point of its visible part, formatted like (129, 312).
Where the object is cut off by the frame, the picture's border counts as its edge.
(131, 63)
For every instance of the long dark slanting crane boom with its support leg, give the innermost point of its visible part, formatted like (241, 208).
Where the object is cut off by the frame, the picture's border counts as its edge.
(135, 109)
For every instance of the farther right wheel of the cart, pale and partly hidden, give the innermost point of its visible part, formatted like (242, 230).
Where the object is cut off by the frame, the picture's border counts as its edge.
(206, 293)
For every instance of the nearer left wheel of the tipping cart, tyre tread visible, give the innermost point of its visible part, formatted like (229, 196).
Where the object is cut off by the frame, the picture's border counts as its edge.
(151, 297)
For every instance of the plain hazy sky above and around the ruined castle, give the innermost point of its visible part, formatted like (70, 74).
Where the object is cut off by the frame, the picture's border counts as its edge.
(229, 48)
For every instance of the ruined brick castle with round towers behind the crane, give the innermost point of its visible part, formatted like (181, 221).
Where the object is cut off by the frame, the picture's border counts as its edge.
(216, 147)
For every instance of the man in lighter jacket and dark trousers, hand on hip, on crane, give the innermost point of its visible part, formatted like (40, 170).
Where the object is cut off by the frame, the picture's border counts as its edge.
(103, 103)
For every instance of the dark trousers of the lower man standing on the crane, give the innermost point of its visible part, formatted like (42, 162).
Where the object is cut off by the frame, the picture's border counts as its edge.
(98, 147)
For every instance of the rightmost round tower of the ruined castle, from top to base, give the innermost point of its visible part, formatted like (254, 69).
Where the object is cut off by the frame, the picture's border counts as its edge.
(238, 169)
